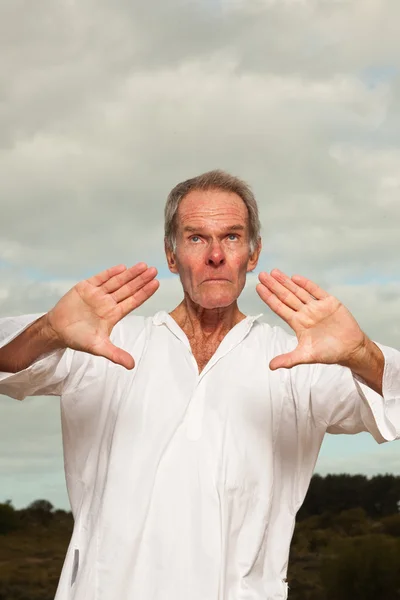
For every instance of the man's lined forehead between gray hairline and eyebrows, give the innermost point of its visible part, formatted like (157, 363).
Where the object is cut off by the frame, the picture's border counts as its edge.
(211, 207)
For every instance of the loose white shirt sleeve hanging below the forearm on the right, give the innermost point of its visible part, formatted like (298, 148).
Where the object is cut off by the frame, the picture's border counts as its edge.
(348, 405)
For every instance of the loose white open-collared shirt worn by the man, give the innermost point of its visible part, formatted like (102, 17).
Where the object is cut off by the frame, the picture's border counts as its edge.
(186, 485)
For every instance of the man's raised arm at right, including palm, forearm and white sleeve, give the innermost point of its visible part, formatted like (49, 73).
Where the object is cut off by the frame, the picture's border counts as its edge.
(356, 382)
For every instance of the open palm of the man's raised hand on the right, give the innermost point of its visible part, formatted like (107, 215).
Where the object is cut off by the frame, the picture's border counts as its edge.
(326, 331)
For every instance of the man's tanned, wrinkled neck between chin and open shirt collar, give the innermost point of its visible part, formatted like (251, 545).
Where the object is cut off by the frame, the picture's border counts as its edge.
(197, 321)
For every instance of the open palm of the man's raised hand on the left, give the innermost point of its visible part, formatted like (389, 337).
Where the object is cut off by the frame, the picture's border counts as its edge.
(84, 318)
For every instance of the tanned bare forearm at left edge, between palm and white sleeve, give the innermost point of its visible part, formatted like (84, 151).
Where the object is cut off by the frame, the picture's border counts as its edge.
(22, 351)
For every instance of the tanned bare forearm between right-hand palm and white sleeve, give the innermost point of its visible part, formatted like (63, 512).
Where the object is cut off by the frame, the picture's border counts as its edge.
(369, 364)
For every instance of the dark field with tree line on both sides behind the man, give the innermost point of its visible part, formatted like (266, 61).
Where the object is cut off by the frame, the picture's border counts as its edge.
(340, 551)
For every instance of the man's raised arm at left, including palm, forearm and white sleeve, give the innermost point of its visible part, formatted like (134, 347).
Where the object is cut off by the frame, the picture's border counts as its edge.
(36, 355)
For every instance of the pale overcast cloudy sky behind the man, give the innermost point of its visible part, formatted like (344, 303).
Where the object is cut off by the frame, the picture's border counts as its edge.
(104, 107)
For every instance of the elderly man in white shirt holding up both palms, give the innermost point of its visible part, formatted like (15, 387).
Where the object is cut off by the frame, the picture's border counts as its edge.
(190, 438)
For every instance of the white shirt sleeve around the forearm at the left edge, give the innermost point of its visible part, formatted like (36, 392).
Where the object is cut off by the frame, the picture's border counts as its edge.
(47, 375)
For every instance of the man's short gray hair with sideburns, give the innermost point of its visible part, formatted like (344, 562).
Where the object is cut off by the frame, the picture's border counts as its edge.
(212, 180)
